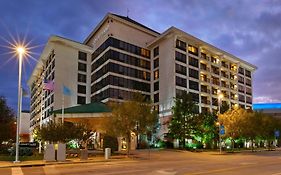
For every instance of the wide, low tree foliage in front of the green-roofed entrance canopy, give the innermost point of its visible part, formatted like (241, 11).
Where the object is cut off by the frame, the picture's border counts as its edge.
(58, 132)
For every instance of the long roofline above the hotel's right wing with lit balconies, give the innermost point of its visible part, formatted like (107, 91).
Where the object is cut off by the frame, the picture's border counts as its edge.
(212, 47)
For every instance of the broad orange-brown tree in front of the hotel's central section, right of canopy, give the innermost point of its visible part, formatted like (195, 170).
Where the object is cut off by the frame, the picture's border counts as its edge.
(133, 116)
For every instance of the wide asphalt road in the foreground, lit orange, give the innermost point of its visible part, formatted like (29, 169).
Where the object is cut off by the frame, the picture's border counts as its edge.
(168, 163)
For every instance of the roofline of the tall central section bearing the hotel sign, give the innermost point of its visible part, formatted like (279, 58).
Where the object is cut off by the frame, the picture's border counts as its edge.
(111, 15)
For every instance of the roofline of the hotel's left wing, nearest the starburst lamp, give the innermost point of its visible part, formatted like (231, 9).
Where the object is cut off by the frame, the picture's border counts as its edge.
(53, 39)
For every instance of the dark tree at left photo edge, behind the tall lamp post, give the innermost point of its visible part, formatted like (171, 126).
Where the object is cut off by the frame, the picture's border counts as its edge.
(7, 122)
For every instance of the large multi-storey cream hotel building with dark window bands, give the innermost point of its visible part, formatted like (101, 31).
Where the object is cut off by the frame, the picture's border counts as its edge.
(122, 56)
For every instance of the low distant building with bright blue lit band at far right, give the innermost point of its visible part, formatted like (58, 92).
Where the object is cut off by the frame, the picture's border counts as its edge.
(273, 109)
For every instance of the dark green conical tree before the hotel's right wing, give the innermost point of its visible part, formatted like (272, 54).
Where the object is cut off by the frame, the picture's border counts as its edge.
(185, 120)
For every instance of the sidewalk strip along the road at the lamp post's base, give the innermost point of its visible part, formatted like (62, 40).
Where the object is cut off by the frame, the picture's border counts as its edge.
(8, 164)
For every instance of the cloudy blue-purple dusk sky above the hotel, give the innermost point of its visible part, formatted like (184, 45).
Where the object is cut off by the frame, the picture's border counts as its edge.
(249, 29)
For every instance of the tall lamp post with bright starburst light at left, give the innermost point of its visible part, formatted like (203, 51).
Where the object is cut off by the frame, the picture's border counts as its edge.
(20, 51)
